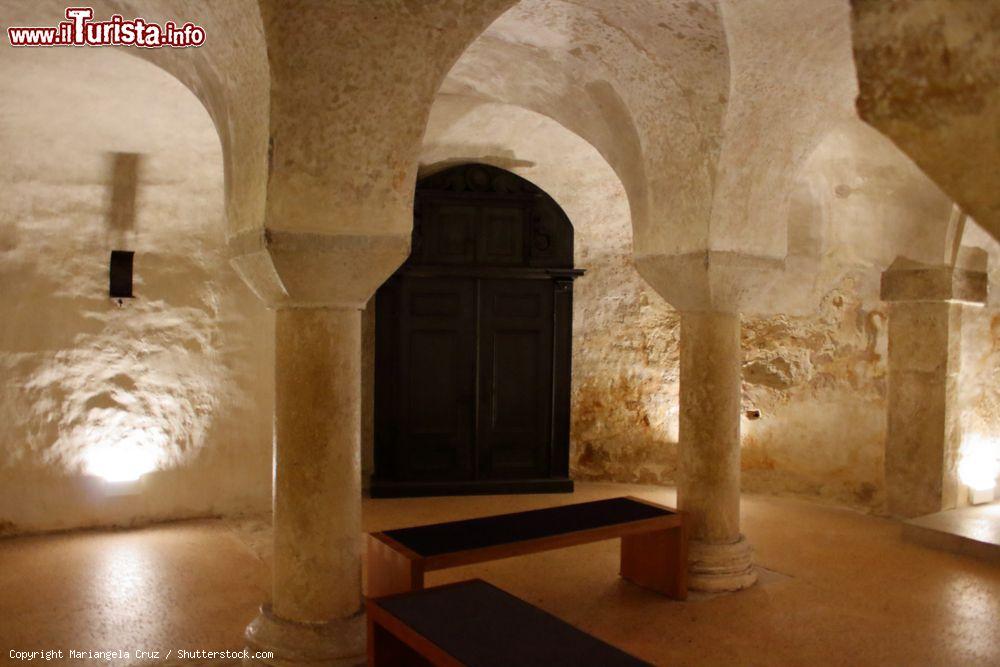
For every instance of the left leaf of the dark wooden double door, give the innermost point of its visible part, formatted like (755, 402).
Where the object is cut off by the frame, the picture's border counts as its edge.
(437, 377)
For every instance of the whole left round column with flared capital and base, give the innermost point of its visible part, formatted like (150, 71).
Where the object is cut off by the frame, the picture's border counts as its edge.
(317, 284)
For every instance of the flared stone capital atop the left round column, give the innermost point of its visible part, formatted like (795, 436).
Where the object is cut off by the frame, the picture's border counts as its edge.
(287, 268)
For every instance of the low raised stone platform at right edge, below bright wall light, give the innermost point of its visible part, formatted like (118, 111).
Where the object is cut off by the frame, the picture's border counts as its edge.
(973, 531)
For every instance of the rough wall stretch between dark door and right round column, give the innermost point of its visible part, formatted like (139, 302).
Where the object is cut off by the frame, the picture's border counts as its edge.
(625, 359)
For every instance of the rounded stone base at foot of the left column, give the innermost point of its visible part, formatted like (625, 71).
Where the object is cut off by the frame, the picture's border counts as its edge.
(339, 643)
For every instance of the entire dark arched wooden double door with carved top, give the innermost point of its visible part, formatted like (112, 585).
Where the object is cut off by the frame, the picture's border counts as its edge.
(473, 342)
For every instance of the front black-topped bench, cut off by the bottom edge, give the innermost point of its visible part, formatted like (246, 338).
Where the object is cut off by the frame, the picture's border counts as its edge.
(475, 624)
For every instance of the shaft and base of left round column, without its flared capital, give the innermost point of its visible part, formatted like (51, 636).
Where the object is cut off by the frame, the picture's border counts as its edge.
(315, 614)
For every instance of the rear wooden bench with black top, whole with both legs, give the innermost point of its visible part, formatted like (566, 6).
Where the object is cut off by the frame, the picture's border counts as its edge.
(654, 543)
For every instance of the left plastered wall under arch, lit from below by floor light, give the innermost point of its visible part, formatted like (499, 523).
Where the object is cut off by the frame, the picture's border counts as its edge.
(179, 379)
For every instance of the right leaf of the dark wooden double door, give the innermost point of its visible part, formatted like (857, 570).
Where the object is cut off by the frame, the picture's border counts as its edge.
(515, 388)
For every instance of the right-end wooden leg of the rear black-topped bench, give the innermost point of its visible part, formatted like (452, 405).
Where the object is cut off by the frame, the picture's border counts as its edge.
(657, 560)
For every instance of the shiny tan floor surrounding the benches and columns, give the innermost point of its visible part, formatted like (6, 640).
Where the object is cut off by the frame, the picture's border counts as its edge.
(837, 588)
